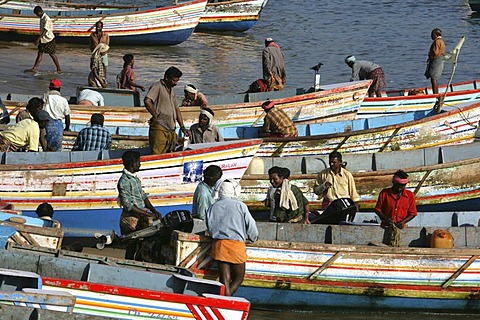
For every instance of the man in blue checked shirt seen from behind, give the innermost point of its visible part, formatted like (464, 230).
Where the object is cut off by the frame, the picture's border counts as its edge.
(95, 137)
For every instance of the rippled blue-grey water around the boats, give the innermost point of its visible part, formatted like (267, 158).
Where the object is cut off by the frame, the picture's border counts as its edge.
(394, 34)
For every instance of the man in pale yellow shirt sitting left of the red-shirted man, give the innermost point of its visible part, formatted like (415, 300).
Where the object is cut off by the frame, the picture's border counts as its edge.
(337, 187)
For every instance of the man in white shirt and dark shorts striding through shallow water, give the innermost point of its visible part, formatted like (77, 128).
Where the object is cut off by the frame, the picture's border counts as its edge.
(46, 41)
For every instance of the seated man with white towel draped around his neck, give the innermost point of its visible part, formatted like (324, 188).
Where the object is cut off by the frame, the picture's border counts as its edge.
(285, 200)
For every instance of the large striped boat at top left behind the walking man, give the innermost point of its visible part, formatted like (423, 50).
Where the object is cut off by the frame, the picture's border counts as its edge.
(130, 26)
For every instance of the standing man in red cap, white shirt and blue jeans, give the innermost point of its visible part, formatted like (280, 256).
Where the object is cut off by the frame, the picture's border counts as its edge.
(58, 109)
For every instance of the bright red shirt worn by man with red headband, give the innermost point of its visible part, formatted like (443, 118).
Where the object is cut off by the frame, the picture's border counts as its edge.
(396, 209)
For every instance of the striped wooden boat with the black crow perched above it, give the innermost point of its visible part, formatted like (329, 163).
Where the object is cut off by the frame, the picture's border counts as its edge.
(333, 102)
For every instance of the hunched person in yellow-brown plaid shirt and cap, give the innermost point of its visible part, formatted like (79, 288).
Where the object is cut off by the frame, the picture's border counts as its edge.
(276, 123)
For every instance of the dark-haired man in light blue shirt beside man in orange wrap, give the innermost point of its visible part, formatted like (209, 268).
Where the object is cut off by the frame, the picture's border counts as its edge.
(203, 196)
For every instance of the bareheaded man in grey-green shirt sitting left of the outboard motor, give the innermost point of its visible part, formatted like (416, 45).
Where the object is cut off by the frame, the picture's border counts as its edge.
(138, 212)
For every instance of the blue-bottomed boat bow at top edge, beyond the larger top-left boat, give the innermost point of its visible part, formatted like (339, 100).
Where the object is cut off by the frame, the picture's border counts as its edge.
(234, 15)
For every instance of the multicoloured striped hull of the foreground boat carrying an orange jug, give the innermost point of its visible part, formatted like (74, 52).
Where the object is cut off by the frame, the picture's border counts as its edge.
(305, 275)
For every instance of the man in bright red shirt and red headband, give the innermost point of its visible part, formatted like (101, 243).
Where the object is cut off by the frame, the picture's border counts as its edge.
(396, 205)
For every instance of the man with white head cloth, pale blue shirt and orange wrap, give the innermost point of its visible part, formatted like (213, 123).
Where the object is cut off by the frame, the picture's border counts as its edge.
(230, 224)
